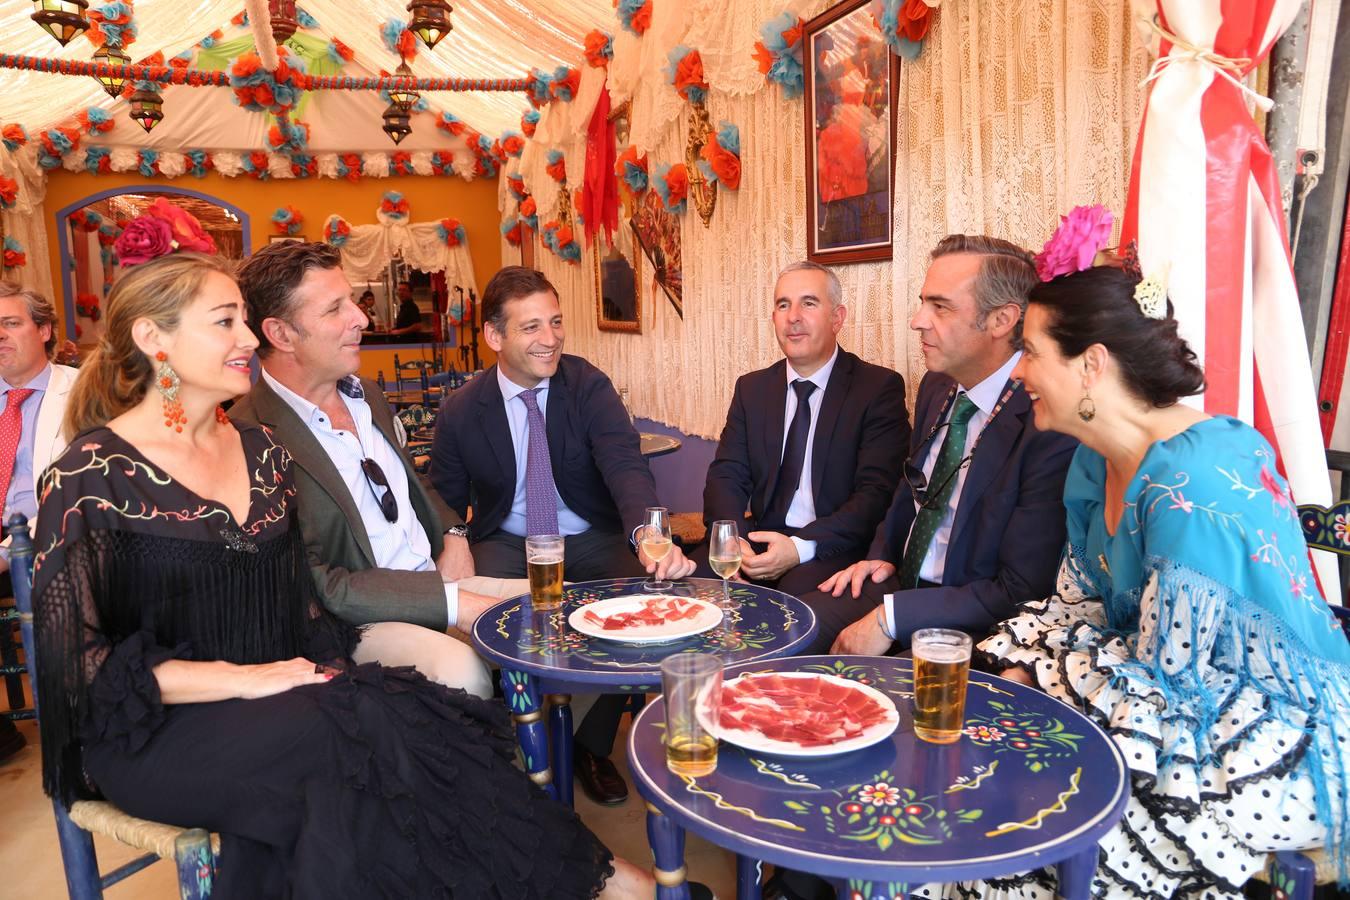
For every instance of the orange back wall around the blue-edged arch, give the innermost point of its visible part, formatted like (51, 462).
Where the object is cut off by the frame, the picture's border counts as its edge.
(473, 203)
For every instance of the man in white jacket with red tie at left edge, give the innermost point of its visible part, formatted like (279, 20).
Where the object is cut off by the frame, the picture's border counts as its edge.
(33, 404)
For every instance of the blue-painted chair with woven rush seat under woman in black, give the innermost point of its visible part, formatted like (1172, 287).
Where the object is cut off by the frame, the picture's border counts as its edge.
(192, 851)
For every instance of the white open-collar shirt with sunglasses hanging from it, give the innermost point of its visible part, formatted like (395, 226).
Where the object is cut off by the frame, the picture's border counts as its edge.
(398, 546)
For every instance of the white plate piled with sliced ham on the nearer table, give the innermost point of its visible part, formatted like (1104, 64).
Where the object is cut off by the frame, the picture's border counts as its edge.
(804, 714)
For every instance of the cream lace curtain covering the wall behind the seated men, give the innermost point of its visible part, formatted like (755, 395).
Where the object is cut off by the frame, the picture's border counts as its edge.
(1013, 114)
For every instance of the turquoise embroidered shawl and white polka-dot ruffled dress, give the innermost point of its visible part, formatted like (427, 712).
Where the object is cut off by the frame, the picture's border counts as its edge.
(1197, 636)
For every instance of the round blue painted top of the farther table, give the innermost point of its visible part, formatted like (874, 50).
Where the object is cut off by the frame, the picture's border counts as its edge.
(766, 624)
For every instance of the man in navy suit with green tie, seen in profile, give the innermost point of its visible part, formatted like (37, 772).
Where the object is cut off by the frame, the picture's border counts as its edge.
(977, 526)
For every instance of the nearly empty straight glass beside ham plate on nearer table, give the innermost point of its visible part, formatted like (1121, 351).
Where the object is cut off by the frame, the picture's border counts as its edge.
(692, 685)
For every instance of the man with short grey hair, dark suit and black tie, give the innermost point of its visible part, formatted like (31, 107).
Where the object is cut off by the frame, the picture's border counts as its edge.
(811, 450)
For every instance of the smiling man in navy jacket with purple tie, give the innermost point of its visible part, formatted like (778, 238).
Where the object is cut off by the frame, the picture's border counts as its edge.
(542, 445)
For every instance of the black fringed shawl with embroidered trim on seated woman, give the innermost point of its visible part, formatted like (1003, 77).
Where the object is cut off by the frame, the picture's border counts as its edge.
(133, 570)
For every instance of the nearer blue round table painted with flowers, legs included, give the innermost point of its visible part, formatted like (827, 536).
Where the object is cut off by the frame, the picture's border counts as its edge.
(1031, 783)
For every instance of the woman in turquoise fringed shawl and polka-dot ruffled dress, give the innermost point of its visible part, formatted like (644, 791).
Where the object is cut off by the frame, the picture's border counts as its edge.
(1189, 621)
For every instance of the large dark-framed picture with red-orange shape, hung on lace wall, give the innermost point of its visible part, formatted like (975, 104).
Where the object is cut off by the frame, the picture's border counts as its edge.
(851, 92)
